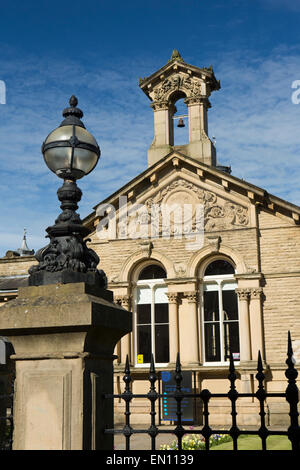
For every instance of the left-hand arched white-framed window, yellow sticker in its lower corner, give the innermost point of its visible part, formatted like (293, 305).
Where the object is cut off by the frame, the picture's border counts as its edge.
(151, 316)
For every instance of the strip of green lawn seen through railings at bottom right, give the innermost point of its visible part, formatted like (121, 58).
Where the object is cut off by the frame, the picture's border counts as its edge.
(249, 442)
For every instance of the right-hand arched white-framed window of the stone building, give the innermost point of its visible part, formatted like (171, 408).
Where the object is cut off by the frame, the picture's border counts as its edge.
(220, 313)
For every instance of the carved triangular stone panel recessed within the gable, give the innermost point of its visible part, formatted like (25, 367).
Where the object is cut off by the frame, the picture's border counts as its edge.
(179, 205)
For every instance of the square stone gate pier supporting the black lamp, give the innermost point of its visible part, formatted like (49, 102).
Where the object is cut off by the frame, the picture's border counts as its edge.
(63, 337)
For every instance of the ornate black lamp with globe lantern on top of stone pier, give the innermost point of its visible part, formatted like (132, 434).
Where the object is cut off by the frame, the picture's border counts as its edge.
(71, 152)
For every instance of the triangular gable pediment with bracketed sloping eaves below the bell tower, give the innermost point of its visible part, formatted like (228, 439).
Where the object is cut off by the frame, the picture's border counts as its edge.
(228, 203)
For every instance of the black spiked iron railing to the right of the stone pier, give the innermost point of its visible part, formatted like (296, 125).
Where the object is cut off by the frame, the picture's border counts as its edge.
(291, 395)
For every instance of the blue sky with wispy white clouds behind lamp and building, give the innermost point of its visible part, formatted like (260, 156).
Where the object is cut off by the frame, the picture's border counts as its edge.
(98, 50)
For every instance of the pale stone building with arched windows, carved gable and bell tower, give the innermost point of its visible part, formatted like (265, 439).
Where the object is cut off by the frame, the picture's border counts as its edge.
(208, 263)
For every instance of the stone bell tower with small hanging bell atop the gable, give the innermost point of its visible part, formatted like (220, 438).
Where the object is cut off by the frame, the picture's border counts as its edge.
(164, 88)
